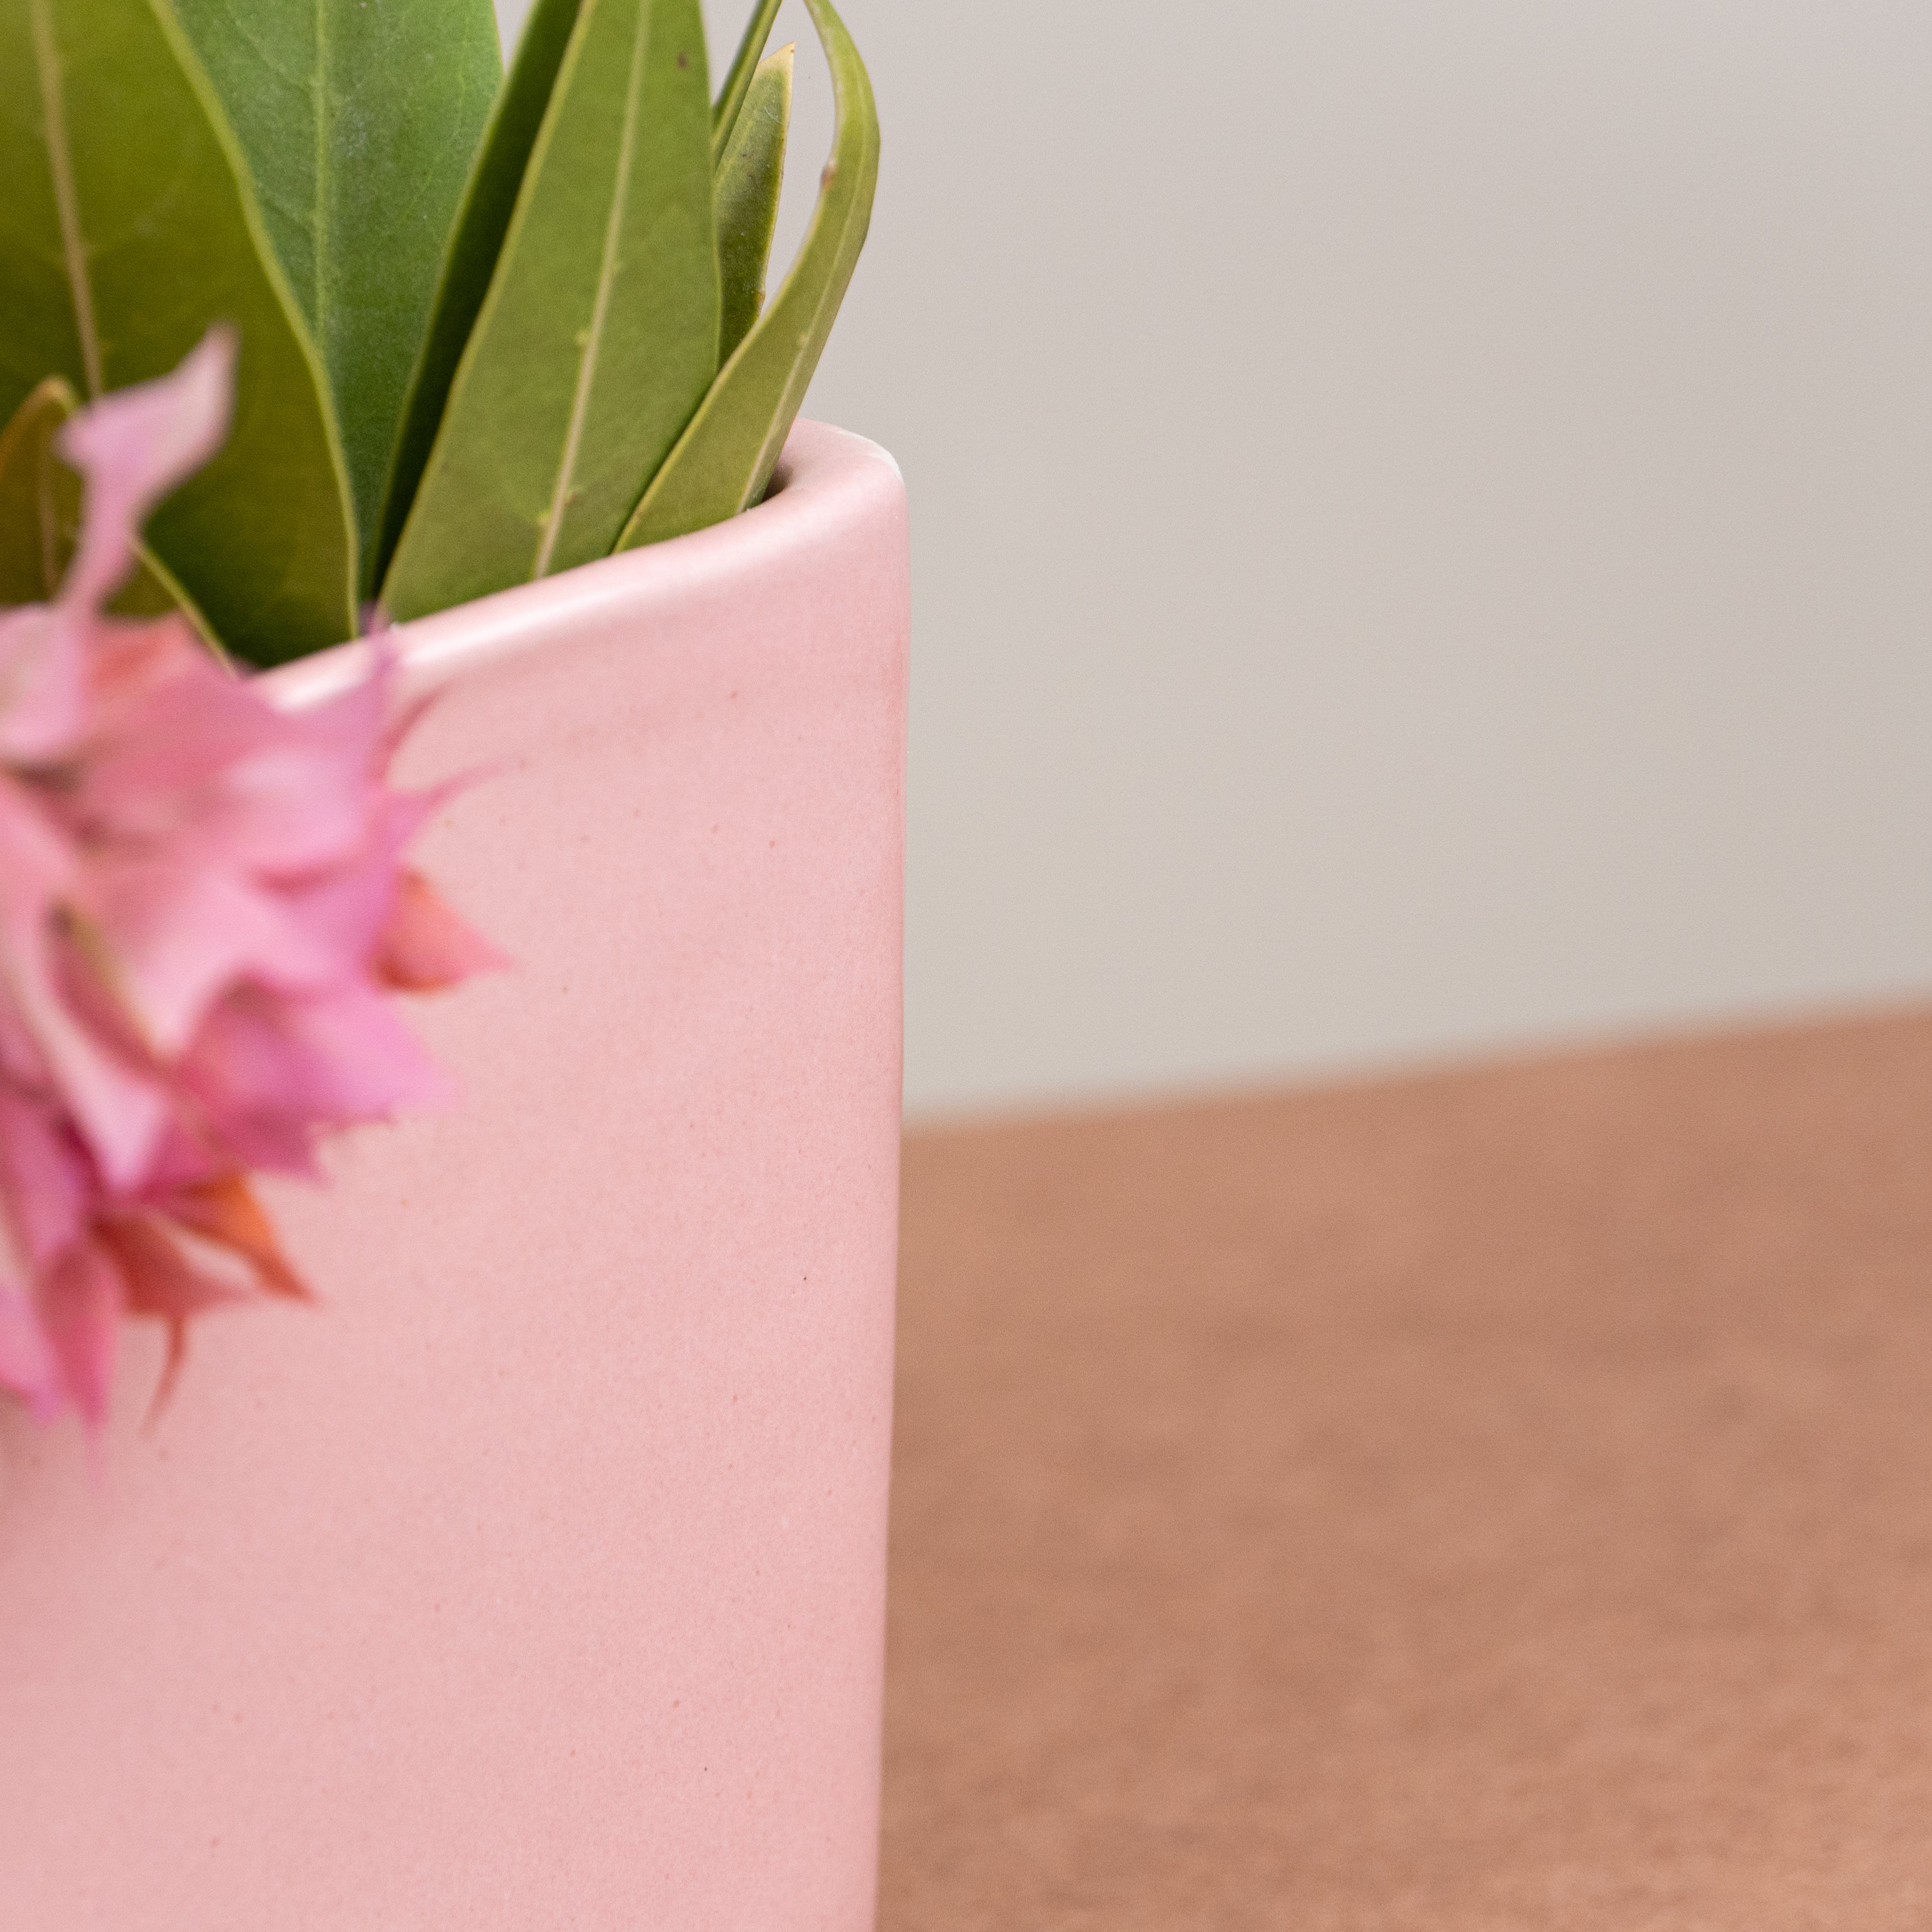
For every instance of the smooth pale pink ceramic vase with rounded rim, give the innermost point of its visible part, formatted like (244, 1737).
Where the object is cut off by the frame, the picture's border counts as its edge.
(536, 1579)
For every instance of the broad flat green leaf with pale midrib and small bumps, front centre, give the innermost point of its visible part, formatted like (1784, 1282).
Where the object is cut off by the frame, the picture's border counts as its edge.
(600, 331)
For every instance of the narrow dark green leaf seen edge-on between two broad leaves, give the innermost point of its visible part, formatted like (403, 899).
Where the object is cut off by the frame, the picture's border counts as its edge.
(470, 258)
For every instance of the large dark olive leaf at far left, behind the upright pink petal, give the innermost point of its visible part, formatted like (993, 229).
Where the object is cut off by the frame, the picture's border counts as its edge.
(127, 229)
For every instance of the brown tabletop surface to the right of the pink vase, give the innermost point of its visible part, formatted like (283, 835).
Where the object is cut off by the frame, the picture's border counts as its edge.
(1496, 1500)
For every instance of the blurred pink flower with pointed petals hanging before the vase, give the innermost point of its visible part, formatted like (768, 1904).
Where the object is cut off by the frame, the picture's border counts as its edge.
(204, 915)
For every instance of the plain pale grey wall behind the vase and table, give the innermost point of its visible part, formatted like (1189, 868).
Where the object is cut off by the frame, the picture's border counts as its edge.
(1423, 521)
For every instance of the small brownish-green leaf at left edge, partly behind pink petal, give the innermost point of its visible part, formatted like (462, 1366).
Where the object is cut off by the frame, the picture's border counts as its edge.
(42, 519)
